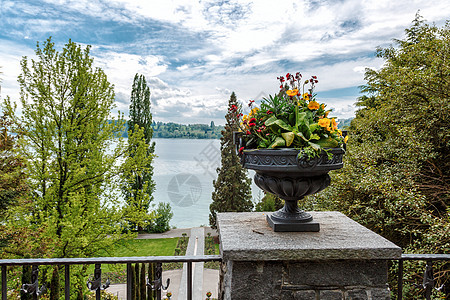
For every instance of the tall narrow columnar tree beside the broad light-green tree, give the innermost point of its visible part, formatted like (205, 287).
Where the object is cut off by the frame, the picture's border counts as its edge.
(138, 185)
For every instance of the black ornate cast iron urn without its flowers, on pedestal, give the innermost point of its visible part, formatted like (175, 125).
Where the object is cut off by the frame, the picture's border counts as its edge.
(291, 177)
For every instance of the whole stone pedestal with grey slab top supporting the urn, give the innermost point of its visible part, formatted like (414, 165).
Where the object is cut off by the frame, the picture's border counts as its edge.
(343, 261)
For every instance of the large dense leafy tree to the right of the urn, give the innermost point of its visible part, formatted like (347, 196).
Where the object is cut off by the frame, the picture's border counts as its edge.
(397, 167)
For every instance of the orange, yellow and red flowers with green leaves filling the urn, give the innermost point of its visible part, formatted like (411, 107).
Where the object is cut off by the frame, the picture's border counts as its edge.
(291, 119)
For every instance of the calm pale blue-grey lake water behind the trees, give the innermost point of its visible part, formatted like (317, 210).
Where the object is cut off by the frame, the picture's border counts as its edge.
(184, 170)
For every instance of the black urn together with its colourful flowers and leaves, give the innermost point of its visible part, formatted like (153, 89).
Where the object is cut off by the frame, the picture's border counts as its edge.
(291, 143)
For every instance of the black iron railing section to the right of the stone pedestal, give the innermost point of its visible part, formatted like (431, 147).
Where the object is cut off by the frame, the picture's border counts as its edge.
(428, 277)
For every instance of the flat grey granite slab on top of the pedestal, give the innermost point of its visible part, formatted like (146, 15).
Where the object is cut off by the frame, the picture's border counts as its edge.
(247, 236)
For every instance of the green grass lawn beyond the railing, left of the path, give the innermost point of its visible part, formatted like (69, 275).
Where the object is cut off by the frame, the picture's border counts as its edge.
(141, 247)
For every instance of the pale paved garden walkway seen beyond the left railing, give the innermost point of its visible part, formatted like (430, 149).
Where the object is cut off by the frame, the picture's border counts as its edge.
(204, 280)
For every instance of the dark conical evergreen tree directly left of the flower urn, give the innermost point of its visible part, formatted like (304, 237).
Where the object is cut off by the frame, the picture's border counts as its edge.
(232, 191)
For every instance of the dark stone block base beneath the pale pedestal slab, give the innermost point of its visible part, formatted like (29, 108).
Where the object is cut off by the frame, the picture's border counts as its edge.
(334, 280)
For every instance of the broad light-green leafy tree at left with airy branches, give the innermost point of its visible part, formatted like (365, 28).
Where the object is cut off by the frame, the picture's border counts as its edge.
(67, 135)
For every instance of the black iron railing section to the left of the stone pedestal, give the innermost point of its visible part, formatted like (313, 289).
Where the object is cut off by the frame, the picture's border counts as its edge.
(96, 283)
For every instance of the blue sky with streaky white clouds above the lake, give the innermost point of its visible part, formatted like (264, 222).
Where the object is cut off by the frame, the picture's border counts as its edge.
(194, 53)
